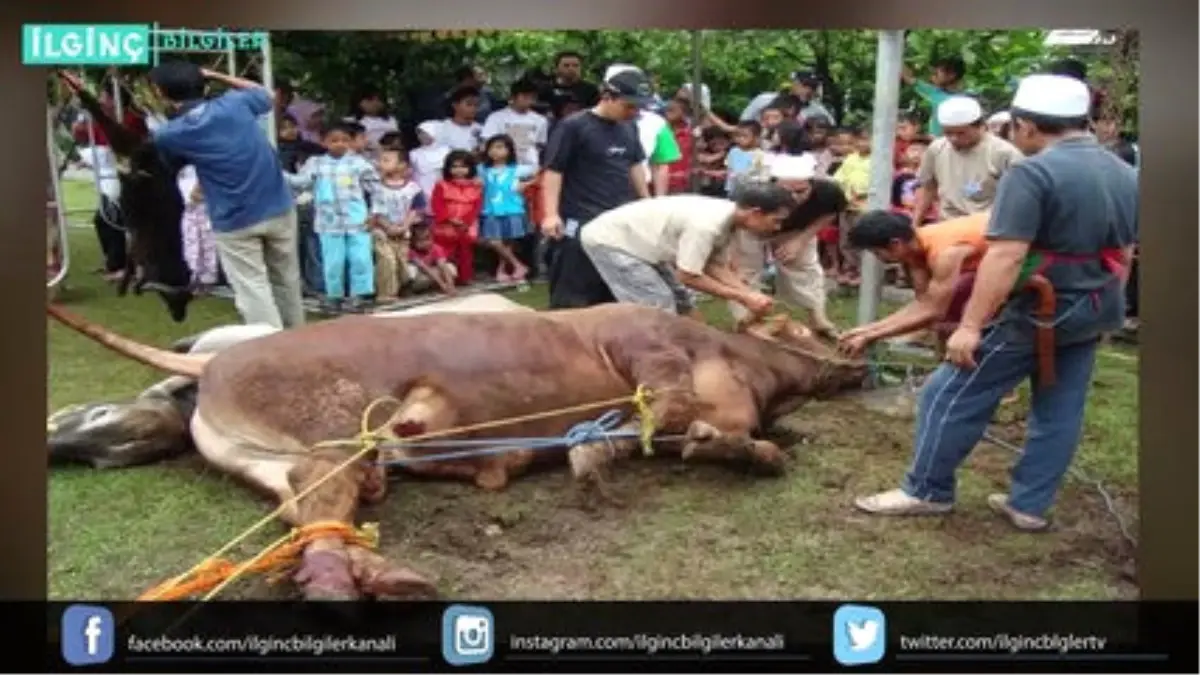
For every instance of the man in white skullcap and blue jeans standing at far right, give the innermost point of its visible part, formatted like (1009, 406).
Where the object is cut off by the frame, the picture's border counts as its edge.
(1060, 238)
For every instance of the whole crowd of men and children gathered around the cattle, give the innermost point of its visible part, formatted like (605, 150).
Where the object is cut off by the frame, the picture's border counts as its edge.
(616, 194)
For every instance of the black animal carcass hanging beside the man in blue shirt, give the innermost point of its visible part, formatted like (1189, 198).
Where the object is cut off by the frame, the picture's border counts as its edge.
(151, 206)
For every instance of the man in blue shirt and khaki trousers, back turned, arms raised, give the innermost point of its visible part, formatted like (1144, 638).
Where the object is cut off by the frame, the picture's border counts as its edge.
(250, 205)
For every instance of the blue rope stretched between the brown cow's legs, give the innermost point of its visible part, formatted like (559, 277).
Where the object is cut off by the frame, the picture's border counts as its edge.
(601, 429)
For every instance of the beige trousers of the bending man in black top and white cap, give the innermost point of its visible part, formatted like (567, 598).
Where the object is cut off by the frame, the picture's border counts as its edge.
(800, 283)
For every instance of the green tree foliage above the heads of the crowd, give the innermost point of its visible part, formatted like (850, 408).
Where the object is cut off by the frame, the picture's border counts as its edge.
(736, 64)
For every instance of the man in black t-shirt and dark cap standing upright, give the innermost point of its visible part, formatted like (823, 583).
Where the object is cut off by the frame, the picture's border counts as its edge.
(593, 163)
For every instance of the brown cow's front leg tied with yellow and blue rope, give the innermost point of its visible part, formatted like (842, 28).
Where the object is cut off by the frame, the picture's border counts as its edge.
(667, 373)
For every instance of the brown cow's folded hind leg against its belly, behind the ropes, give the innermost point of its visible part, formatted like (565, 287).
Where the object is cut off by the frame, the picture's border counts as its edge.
(428, 408)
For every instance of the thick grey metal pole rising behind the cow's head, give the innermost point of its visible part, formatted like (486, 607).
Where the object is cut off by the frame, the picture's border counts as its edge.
(889, 62)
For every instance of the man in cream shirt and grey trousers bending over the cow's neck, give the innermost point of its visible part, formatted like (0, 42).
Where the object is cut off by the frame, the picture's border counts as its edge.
(651, 252)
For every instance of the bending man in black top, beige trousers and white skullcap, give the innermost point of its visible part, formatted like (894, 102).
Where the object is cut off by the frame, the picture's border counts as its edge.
(800, 278)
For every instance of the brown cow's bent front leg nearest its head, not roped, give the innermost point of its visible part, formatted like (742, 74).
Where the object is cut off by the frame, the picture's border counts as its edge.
(727, 417)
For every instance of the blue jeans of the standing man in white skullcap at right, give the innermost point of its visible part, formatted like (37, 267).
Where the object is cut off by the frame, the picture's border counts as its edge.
(957, 405)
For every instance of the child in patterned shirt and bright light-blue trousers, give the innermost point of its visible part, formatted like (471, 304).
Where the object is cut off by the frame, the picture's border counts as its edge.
(340, 182)
